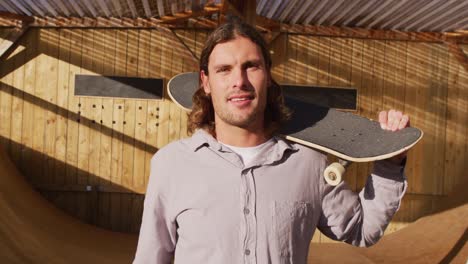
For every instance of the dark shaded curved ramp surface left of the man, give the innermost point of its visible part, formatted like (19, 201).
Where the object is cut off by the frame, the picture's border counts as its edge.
(33, 231)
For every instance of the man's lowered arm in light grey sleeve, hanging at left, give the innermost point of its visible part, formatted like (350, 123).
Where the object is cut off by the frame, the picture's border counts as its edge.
(156, 243)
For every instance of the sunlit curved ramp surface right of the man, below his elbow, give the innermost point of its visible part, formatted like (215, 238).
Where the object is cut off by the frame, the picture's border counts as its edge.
(438, 238)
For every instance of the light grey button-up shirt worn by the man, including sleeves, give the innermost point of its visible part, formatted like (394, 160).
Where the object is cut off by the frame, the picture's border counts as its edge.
(204, 206)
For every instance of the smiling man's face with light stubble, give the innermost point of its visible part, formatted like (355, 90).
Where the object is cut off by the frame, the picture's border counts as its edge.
(237, 82)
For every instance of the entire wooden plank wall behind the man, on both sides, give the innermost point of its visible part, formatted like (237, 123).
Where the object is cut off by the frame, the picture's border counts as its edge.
(63, 143)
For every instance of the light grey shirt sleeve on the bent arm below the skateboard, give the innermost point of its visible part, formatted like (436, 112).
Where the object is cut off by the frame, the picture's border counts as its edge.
(361, 219)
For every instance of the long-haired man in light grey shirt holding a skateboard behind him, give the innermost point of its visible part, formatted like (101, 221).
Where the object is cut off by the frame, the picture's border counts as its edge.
(236, 193)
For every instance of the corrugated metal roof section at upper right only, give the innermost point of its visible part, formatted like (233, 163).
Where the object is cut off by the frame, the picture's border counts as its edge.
(403, 15)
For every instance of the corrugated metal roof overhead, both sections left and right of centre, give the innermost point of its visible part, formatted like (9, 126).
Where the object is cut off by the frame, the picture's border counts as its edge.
(403, 15)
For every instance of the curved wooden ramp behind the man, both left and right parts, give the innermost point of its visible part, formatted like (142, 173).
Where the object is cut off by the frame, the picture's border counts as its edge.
(34, 231)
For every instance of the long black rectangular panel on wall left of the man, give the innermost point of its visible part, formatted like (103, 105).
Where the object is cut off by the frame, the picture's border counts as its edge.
(113, 86)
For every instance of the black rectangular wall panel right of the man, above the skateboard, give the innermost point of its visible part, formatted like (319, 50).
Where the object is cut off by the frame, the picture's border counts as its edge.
(333, 97)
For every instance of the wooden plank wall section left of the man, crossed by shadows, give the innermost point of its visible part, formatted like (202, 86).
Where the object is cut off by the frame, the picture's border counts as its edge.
(90, 156)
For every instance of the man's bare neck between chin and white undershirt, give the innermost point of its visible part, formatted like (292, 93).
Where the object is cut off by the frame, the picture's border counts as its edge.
(240, 137)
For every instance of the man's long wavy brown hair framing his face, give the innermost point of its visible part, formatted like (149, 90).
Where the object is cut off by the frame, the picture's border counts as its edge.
(202, 115)
